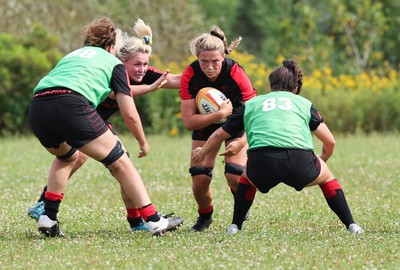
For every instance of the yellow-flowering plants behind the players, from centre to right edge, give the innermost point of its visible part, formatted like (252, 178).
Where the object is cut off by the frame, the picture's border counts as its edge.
(365, 102)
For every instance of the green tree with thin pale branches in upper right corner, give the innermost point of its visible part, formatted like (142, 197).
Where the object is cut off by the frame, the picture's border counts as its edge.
(359, 28)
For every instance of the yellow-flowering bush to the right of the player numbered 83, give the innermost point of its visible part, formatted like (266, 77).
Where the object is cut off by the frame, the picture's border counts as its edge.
(353, 103)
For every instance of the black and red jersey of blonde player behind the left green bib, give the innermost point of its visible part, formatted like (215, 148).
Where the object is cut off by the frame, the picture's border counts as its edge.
(109, 106)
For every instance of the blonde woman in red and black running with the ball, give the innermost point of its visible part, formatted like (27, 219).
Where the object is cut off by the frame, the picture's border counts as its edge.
(213, 69)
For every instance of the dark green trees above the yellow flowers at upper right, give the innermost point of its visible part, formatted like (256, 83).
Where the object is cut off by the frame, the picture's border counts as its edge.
(348, 36)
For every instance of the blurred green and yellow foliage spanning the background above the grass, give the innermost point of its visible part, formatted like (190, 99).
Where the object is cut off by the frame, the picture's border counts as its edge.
(348, 51)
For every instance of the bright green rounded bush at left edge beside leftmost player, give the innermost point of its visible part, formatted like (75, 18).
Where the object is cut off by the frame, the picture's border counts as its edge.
(23, 62)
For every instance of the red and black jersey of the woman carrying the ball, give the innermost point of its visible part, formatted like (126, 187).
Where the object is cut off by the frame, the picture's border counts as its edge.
(232, 81)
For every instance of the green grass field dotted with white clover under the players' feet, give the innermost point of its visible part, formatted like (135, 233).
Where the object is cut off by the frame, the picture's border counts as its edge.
(287, 229)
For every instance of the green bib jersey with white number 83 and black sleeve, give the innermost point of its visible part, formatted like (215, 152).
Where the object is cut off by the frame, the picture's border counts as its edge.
(280, 119)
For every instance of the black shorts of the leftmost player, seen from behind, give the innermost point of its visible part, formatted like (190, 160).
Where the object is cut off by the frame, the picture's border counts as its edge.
(65, 117)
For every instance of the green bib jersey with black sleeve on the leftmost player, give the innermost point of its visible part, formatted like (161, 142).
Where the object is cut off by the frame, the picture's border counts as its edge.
(91, 71)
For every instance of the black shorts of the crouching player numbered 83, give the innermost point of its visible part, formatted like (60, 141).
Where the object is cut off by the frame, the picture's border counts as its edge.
(269, 166)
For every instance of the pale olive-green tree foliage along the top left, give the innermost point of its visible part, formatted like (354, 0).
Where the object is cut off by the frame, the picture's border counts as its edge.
(173, 22)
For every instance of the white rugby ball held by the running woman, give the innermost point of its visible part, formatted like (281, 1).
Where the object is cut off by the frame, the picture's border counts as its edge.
(208, 100)
